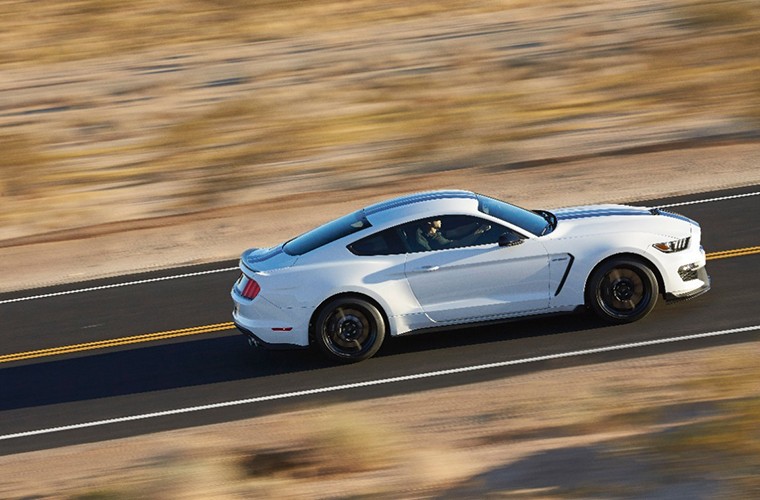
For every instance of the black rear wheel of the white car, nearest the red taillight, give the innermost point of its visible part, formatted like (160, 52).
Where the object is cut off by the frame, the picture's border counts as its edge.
(349, 329)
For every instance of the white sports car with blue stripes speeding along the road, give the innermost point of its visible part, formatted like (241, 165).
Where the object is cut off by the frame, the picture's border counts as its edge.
(442, 258)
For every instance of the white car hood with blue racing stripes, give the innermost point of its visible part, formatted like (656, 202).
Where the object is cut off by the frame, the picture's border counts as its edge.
(599, 219)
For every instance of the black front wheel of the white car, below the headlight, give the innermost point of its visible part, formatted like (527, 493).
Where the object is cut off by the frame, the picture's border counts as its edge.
(622, 290)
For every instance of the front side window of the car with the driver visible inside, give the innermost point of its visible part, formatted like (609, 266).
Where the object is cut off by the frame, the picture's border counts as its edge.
(450, 231)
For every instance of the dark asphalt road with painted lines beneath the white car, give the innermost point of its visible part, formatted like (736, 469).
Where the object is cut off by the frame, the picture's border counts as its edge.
(210, 375)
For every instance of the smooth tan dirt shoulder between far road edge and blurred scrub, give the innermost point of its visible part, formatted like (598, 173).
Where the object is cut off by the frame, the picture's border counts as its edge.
(137, 246)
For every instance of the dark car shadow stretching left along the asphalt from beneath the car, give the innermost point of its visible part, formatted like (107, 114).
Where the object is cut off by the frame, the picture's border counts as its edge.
(227, 358)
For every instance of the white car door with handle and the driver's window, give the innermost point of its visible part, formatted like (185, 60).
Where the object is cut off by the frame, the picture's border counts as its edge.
(475, 278)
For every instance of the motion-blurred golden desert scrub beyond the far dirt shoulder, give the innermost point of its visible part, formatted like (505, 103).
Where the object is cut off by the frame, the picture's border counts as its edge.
(114, 111)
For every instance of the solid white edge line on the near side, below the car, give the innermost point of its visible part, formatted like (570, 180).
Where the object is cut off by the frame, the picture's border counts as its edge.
(369, 383)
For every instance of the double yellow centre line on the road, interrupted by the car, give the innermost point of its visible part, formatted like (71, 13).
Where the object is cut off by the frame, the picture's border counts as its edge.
(218, 327)
